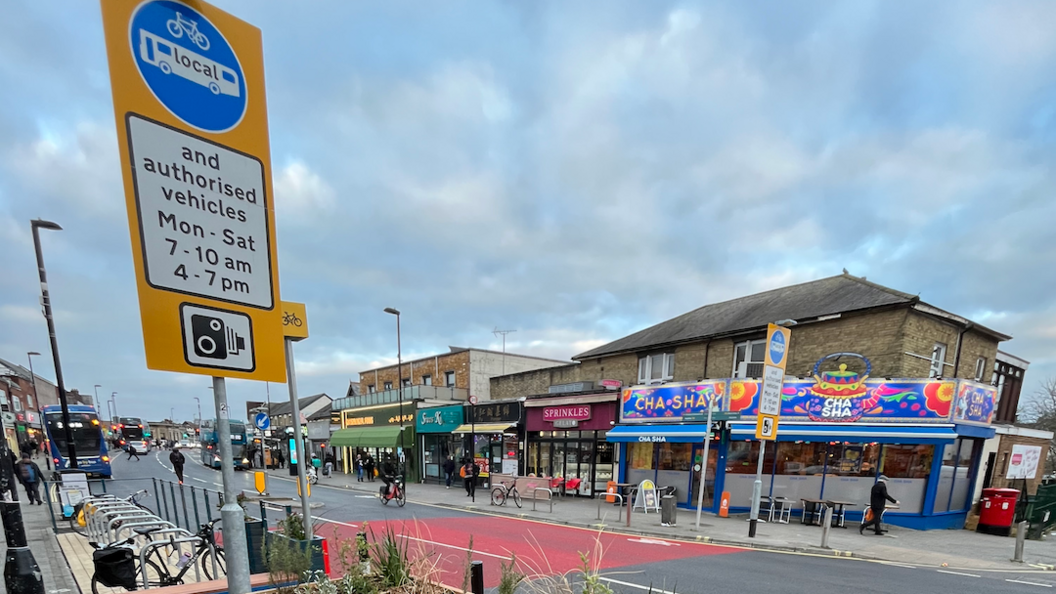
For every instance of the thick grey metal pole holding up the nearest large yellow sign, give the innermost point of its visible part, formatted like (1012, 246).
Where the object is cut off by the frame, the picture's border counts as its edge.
(232, 514)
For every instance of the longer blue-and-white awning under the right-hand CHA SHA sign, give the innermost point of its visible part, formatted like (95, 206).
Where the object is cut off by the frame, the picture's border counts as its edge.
(855, 434)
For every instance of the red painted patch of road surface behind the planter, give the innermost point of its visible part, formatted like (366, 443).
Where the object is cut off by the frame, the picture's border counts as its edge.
(542, 550)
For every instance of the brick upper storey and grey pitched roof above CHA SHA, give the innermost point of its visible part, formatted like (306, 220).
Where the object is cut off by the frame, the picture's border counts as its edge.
(901, 336)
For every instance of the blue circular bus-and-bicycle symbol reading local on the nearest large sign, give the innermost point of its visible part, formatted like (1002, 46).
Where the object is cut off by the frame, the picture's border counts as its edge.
(188, 65)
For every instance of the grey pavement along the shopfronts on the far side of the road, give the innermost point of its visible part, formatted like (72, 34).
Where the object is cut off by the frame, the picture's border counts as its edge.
(939, 549)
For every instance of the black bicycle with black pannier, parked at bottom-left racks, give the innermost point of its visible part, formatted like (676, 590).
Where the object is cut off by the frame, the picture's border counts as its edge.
(116, 564)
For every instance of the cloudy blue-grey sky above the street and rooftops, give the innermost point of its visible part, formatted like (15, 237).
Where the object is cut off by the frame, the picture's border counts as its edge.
(573, 171)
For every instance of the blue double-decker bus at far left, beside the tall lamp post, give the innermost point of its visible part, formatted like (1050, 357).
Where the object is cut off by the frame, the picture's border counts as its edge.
(88, 440)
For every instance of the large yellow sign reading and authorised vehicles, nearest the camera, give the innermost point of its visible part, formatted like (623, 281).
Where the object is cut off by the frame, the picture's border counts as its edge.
(188, 87)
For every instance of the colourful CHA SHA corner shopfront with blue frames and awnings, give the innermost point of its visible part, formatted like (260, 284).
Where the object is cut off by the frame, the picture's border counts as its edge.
(839, 432)
